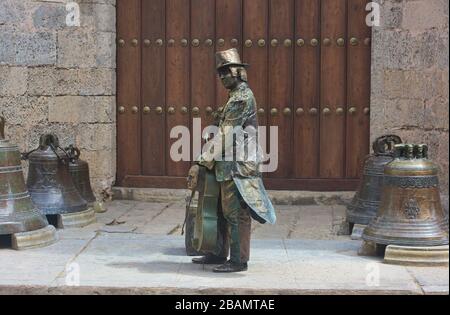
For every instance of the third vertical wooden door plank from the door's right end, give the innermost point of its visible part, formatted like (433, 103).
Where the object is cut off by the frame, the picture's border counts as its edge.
(307, 89)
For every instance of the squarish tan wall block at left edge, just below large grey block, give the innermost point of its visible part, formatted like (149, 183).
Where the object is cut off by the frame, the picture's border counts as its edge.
(14, 81)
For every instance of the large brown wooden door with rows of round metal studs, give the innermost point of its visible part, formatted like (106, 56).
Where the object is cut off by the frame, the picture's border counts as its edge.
(309, 69)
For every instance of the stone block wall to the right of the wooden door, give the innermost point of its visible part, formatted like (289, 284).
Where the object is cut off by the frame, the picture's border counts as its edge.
(410, 76)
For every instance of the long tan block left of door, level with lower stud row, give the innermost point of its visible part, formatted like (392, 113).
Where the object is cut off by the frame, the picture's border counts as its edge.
(82, 109)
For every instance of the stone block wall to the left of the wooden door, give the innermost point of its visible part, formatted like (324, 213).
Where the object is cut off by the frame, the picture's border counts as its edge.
(61, 79)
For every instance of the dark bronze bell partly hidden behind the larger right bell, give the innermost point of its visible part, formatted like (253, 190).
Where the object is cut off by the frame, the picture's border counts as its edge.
(365, 204)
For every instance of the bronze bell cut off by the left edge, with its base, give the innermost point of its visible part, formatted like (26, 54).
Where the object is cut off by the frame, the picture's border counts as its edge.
(17, 212)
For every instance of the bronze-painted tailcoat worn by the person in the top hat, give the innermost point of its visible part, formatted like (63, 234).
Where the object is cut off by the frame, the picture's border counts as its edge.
(242, 167)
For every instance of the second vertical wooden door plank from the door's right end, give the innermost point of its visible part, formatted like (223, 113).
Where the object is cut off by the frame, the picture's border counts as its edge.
(333, 89)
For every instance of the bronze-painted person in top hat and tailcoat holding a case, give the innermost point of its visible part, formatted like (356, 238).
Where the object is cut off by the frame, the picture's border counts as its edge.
(242, 192)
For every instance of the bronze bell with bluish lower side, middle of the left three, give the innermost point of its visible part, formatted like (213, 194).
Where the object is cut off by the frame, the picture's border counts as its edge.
(49, 182)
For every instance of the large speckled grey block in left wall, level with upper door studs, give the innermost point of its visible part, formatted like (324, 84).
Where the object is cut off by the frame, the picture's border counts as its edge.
(36, 49)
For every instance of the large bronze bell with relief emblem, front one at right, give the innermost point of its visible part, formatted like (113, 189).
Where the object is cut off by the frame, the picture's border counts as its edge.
(410, 213)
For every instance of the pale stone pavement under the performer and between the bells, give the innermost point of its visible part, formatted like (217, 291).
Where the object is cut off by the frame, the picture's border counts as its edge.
(136, 248)
